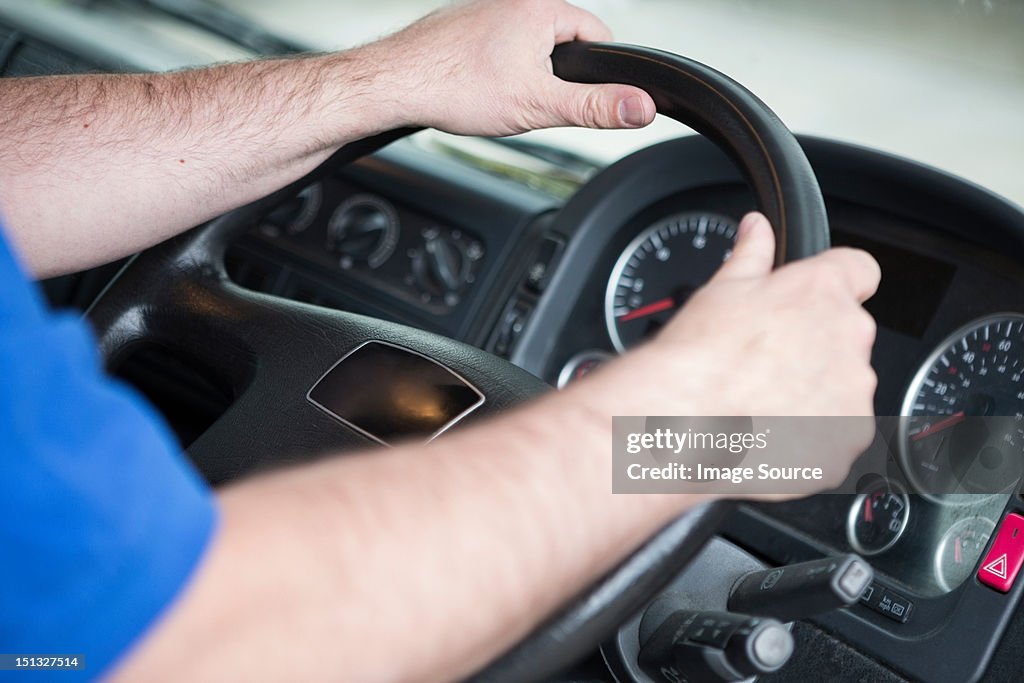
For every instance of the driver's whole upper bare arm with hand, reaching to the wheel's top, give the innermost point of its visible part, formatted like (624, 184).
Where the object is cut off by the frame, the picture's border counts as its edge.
(96, 167)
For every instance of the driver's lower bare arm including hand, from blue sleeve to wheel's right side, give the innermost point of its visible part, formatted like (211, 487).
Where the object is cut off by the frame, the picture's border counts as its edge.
(422, 563)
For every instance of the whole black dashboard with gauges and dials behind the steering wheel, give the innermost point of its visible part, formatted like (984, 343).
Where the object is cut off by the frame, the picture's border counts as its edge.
(563, 289)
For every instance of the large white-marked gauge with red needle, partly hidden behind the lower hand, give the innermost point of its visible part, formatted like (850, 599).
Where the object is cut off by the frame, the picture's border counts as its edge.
(659, 272)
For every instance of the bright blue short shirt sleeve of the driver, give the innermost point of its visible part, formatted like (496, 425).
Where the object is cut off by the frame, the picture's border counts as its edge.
(102, 519)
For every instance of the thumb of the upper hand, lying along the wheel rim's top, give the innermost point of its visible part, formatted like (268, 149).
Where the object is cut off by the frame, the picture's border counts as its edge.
(603, 106)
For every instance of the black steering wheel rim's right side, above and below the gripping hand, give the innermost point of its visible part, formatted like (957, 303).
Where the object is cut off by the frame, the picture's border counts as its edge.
(787, 192)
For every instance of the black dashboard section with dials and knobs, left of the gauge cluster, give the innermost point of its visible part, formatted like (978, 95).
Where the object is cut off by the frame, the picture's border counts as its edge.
(461, 242)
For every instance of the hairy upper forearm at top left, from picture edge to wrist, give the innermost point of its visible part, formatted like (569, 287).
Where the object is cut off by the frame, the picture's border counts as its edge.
(97, 167)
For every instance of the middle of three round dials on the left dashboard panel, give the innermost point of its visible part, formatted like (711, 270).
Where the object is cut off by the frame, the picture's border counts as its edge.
(363, 230)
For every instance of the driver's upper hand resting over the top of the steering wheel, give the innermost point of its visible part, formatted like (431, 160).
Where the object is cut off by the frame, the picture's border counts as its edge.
(485, 69)
